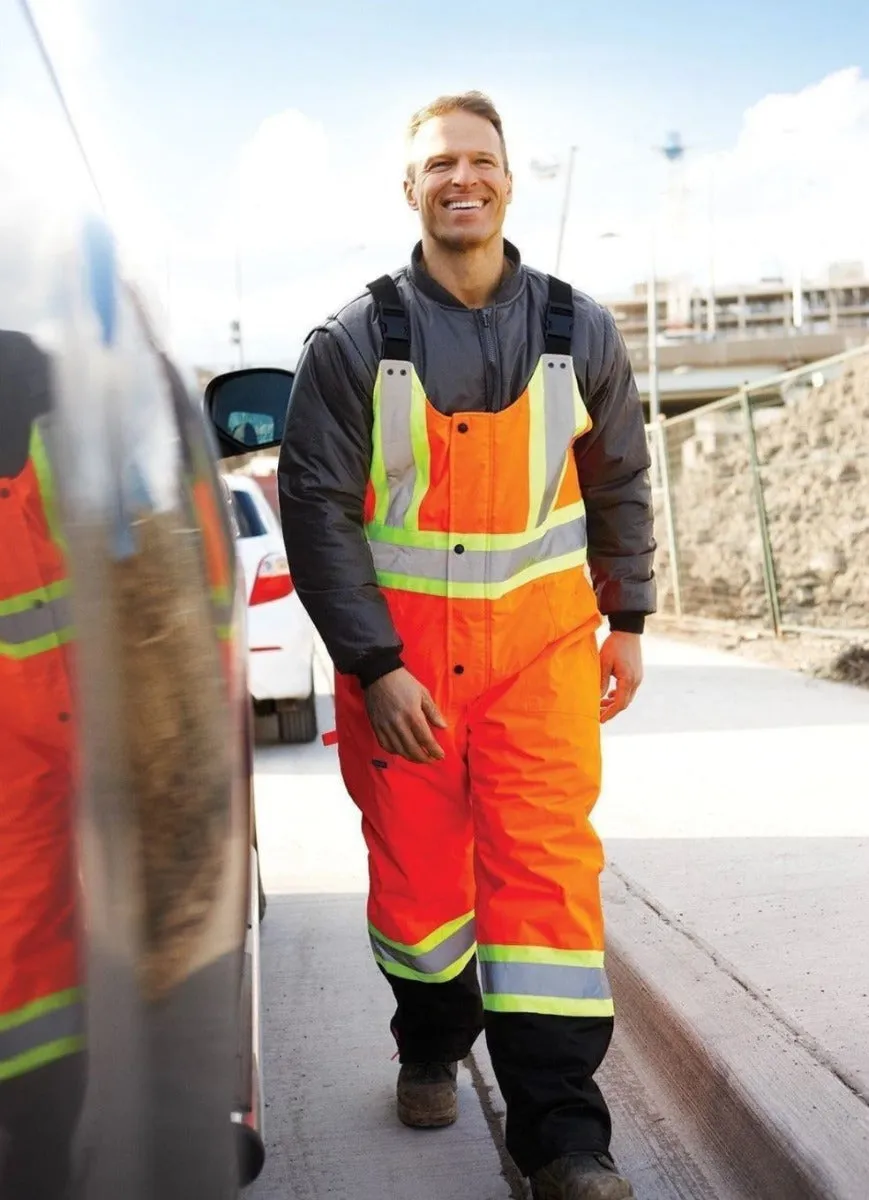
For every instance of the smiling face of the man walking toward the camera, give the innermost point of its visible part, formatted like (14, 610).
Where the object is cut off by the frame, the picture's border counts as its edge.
(458, 182)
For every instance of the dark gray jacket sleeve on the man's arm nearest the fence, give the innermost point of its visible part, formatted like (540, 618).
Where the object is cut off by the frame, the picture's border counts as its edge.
(613, 460)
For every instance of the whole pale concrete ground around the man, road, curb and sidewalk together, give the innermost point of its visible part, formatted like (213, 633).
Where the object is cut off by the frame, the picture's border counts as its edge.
(736, 823)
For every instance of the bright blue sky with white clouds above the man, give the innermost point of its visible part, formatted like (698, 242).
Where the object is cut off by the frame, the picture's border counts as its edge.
(251, 155)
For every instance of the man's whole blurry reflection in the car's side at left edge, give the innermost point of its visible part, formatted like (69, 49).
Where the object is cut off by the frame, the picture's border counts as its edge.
(41, 1016)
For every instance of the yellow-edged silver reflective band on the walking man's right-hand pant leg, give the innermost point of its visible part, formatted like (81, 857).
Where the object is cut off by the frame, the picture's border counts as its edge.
(541, 980)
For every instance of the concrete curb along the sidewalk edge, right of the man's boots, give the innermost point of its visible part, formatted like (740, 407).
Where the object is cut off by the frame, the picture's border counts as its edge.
(778, 1121)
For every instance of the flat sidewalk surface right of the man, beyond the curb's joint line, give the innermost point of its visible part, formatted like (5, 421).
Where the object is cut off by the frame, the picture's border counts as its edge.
(738, 796)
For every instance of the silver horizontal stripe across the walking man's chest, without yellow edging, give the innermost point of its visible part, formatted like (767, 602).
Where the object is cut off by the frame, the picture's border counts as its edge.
(480, 566)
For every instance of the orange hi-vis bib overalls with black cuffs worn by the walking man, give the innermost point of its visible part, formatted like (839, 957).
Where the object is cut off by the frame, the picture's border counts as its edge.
(478, 535)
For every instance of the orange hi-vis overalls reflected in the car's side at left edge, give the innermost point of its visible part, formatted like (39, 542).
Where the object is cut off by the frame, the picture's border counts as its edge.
(41, 1016)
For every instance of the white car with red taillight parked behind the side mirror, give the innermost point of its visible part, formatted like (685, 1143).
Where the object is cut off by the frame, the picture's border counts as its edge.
(280, 634)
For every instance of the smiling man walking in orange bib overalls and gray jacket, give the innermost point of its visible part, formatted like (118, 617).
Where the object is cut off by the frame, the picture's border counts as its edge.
(464, 441)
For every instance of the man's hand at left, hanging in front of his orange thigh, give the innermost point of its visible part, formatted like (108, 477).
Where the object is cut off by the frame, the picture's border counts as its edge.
(403, 713)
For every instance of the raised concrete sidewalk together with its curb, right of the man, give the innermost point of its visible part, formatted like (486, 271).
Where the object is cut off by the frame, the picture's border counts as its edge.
(736, 824)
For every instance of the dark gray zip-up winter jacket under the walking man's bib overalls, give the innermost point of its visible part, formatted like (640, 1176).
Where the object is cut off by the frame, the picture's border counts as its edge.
(469, 361)
